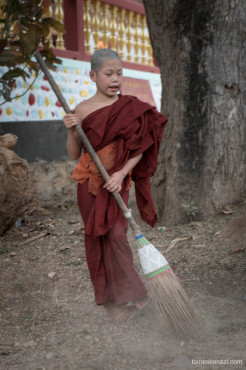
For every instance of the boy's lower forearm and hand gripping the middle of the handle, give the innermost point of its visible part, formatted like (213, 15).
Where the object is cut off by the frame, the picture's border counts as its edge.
(116, 179)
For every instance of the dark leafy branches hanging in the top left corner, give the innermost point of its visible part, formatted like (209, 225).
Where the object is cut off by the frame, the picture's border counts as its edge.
(22, 28)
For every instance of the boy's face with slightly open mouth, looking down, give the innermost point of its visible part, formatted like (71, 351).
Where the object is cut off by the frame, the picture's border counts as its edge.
(109, 77)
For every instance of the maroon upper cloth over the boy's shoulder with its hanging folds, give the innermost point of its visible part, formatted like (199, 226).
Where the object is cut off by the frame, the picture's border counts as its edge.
(136, 127)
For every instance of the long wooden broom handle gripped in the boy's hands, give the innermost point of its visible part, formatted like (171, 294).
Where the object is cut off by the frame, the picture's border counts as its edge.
(86, 143)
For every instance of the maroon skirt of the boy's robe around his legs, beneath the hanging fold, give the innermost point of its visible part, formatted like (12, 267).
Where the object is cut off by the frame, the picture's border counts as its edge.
(109, 257)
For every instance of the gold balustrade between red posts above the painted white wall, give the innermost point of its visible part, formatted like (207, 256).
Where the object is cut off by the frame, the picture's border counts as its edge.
(106, 25)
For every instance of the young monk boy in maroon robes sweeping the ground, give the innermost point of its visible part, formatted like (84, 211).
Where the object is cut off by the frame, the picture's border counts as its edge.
(126, 135)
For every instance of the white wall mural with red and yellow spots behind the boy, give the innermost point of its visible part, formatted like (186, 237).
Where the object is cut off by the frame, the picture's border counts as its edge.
(72, 77)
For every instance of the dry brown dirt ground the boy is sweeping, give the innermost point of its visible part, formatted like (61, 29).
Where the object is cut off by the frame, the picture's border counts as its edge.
(49, 320)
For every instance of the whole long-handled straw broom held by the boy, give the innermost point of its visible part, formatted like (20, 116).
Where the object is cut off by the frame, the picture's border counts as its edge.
(174, 308)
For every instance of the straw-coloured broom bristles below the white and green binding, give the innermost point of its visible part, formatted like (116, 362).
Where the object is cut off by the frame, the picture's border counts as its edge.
(175, 309)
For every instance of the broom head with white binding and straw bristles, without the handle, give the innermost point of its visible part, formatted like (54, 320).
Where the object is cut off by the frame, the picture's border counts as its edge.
(174, 308)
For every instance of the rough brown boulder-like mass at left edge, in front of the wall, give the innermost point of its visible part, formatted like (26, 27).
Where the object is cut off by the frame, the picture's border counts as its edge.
(18, 190)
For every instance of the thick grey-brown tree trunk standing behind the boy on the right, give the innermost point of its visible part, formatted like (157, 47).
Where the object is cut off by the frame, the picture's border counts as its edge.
(201, 51)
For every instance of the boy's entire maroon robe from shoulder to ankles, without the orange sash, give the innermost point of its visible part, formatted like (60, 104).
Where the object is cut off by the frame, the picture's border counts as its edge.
(137, 128)
